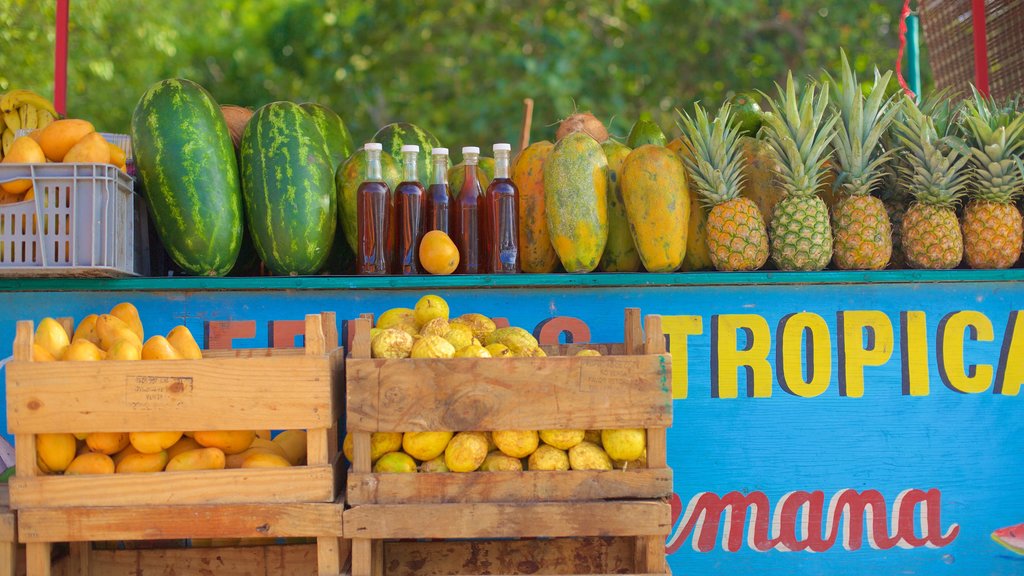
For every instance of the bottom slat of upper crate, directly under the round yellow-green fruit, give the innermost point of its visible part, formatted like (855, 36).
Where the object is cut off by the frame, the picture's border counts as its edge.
(507, 486)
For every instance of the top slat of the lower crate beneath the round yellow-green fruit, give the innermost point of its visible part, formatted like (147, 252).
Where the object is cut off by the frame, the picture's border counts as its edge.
(508, 521)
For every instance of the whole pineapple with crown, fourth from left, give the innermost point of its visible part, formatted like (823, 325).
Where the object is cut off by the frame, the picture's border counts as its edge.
(934, 174)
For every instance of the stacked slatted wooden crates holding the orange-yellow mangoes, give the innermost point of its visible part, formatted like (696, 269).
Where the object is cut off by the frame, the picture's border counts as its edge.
(227, 390)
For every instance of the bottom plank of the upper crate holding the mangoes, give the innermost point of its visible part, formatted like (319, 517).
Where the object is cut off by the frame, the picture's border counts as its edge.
(301, 484)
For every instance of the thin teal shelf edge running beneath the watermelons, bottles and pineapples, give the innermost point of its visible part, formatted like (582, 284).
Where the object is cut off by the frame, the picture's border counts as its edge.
(596, 280)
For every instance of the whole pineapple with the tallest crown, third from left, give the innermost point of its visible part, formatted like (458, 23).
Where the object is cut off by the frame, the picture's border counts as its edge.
(861, 222)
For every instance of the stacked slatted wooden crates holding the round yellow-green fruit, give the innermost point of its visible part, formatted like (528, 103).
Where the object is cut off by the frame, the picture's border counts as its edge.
(630, 387)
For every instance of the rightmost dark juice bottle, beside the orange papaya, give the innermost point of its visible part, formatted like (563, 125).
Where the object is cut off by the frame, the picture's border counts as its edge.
(502, 201)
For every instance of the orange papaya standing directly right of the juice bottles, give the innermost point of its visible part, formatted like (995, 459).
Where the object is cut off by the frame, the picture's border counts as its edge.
(537, 254)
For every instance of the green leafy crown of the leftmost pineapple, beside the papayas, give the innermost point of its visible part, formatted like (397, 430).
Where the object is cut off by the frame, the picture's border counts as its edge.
(715, 158)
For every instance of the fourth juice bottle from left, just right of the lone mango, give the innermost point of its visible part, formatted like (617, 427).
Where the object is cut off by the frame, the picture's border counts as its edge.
(466, 224)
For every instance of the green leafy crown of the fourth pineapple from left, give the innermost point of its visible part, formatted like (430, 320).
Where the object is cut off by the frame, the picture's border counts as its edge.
(936, 171)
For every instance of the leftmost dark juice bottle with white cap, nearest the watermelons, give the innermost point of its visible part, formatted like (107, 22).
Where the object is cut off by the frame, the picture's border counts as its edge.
(374, 208)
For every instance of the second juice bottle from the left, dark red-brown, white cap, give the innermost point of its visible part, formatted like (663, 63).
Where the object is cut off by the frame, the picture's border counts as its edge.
(409, 199)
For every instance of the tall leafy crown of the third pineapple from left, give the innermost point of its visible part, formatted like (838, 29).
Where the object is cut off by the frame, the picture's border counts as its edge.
(861, 127)
